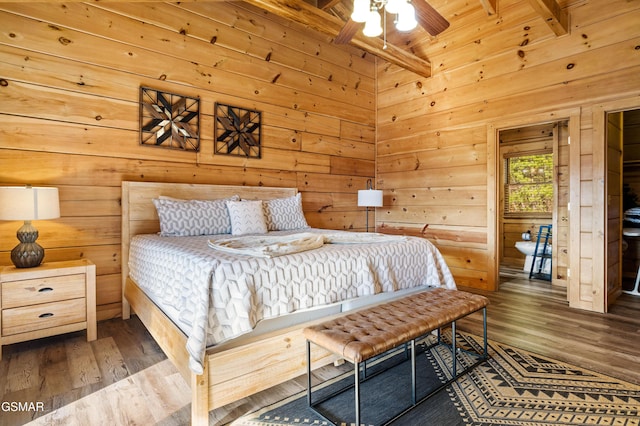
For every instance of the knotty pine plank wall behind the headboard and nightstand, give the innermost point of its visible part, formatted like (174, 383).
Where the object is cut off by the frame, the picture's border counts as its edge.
(69, 81)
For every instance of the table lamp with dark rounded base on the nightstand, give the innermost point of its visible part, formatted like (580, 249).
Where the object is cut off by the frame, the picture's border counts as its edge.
(28, 203)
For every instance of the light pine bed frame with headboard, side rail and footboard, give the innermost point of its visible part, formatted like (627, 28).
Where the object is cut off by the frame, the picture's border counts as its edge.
(233, 370)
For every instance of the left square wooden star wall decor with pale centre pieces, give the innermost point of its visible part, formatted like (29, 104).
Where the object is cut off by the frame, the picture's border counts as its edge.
(169, 120)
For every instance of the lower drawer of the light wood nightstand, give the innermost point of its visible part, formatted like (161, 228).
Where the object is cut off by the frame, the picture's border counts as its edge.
(45, 315)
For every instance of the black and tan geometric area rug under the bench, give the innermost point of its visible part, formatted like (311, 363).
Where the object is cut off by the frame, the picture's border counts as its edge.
(512, 387)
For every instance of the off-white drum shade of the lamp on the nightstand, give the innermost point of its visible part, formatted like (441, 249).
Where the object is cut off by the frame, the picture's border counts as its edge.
(28, 203)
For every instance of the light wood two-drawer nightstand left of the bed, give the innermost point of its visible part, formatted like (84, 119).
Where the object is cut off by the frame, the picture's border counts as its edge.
(50, 299)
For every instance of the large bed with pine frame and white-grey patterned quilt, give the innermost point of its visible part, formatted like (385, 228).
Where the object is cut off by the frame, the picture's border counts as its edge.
(262, 345)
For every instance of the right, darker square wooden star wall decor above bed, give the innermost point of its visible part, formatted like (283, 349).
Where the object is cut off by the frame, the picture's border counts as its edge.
(237, 131)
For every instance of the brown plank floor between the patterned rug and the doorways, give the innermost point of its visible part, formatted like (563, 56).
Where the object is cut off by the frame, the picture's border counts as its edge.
(533, 315)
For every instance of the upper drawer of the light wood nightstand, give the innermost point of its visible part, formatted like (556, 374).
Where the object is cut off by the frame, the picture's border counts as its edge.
(42, 290)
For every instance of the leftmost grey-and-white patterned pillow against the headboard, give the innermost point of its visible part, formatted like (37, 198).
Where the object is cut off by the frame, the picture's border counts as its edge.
(180, 218)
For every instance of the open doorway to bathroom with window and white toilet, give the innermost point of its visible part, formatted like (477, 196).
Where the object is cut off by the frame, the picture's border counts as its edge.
(533, 170)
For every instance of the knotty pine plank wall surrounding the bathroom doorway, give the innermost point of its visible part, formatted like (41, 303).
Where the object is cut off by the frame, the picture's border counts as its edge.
(434, 158)
